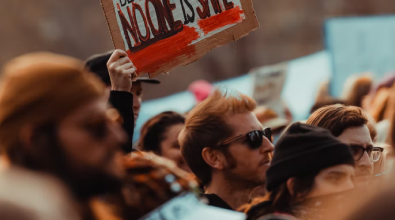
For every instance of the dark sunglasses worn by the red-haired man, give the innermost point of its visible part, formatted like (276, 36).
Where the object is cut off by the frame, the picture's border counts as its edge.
(254, 138)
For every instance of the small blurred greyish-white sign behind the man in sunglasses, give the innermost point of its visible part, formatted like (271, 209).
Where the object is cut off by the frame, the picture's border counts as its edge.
(268, 83)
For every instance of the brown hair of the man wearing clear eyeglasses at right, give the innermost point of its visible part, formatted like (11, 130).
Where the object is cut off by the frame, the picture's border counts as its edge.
(338, 118)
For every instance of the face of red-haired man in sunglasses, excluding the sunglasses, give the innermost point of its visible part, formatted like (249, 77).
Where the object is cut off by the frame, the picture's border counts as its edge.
(244, 164)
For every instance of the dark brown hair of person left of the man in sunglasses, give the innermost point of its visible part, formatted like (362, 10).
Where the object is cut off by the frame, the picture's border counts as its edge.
(153, 131)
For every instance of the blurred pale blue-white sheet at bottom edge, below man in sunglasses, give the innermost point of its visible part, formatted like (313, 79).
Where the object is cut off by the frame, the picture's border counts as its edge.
(188, 207)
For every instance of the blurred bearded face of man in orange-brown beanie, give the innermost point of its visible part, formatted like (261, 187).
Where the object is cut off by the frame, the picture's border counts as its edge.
(91, 140)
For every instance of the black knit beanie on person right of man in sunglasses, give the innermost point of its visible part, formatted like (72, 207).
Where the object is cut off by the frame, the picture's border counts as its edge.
(304, 149)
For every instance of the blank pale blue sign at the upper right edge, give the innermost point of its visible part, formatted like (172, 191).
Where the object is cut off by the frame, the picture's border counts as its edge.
(360, 44)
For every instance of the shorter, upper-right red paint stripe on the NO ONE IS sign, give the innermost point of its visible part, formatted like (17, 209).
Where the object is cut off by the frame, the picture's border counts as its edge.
(218, 21)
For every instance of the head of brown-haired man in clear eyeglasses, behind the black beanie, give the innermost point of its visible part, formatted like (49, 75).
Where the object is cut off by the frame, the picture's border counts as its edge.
(352, 126)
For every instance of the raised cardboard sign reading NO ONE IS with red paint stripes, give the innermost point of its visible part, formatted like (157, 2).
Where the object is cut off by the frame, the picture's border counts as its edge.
(162, 34)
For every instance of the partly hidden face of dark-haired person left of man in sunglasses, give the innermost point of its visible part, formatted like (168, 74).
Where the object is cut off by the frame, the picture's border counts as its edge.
(170, 147)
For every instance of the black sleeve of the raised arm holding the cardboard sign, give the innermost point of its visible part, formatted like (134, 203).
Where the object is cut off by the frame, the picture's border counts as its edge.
(123, 102)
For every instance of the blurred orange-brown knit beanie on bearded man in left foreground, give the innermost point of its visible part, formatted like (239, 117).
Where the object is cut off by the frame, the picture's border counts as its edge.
(42, 87)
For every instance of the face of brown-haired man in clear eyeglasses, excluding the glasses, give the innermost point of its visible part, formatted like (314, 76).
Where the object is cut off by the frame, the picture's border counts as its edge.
(360, 136)
